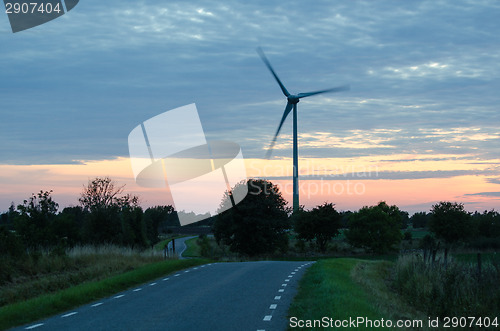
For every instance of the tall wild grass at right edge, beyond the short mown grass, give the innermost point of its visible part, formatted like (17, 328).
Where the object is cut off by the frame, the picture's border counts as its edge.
(457, 290)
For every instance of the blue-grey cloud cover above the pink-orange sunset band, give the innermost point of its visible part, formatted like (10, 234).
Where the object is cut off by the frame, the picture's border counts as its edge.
(73, 88)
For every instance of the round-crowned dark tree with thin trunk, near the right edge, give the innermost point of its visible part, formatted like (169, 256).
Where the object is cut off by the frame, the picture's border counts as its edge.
(451, 223)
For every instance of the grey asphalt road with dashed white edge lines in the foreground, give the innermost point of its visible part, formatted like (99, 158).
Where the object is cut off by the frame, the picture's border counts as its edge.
(218, 296)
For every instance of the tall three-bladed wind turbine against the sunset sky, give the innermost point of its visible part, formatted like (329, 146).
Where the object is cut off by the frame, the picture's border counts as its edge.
(292, 100)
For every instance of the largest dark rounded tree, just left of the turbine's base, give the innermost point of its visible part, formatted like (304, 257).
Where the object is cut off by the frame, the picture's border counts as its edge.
(258, 224)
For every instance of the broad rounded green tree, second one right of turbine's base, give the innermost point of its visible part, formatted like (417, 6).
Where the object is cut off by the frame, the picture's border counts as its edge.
(375, 228)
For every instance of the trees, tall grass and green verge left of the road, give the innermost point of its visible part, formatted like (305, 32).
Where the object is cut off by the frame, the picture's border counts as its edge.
(53, 260)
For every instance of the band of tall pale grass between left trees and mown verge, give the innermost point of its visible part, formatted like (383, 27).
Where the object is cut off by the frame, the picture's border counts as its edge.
(45, 272)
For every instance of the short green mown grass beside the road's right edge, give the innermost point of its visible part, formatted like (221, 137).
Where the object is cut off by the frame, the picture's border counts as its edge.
(347, 288)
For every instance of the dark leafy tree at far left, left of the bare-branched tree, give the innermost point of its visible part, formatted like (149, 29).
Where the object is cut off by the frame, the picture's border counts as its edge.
(35, 218)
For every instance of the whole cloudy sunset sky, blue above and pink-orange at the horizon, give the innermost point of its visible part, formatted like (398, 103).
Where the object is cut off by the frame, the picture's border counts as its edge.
(419, 125)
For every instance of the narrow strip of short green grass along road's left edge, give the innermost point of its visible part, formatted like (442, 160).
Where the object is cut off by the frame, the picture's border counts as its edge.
(50, 304)
